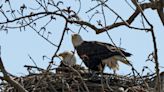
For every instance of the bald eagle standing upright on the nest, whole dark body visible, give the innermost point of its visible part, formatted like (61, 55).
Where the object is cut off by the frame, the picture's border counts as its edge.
(96, 55)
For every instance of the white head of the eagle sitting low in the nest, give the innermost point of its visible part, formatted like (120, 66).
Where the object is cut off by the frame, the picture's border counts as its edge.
(68, 58)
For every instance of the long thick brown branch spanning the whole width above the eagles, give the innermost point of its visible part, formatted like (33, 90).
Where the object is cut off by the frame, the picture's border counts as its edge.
(152, 5)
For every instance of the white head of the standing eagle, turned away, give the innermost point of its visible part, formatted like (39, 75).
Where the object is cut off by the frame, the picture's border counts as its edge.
(76, 40)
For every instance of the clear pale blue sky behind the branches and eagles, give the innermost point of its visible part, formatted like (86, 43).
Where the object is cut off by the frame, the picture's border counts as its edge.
(16, 45)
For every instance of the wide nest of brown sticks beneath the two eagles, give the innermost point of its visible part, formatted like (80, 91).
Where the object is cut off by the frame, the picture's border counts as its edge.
(78, 79)
